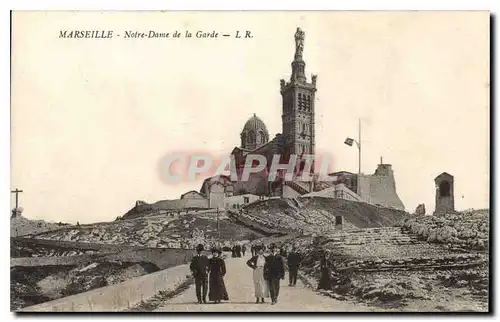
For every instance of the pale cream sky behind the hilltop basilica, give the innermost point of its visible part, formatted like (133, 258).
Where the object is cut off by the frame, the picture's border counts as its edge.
(92, 118)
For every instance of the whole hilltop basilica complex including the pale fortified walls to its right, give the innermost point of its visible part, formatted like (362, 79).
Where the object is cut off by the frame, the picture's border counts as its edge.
(296, 138)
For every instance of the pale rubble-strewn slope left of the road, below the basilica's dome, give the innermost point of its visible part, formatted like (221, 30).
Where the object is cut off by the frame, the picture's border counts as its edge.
(183, 231)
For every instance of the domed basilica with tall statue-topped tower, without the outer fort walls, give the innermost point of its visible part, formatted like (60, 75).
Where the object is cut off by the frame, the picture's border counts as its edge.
(297, 137)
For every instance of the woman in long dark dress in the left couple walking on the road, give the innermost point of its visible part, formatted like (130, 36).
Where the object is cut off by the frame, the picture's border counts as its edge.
(217, 289)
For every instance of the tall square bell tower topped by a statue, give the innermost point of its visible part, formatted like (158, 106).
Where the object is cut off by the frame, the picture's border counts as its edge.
(298, 104)
